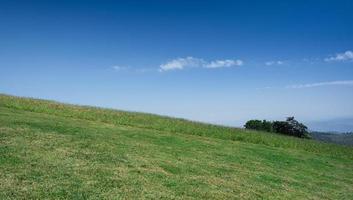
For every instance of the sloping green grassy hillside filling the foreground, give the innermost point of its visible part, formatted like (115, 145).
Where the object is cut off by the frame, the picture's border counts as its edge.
(50, 150)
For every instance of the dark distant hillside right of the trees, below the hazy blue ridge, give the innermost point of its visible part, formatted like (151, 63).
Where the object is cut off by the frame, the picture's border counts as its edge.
(337, 138)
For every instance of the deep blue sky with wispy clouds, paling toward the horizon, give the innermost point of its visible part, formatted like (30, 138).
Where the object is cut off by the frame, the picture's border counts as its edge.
(216, 61)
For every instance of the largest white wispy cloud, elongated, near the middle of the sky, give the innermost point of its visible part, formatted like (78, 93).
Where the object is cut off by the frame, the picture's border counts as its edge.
(188, 62)
